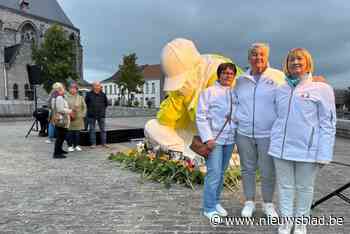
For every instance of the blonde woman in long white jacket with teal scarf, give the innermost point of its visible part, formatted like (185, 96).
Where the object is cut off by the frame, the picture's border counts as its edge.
(302, 137)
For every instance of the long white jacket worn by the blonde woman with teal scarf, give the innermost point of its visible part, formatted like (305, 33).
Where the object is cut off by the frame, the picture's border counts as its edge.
(305, 126)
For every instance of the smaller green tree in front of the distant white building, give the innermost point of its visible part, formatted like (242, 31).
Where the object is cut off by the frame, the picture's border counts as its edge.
(130, 77)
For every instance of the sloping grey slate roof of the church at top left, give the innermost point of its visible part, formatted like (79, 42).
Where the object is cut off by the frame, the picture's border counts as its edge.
(46, 9)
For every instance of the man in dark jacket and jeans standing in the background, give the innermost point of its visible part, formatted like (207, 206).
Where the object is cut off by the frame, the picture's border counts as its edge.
(96, 102)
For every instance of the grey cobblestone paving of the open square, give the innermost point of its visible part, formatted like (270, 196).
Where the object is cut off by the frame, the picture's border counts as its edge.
(86, 193)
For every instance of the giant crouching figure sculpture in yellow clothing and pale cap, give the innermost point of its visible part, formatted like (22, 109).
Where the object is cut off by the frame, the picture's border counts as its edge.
(187, 74)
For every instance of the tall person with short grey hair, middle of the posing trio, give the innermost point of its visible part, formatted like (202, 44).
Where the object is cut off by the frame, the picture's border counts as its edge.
(256, 114)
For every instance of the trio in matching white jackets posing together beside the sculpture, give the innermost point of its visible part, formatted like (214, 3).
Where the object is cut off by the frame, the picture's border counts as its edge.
(282, 123)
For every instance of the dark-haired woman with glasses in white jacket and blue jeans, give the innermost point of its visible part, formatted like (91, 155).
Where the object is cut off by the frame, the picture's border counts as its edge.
(214, 107)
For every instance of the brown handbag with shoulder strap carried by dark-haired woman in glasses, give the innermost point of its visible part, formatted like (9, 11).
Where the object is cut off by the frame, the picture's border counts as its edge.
(201, 148)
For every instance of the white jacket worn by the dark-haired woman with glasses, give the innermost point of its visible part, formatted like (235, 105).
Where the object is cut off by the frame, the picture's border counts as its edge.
(212, 111)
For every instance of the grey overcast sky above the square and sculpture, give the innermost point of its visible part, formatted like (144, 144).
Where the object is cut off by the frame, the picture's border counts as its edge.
(111, 28)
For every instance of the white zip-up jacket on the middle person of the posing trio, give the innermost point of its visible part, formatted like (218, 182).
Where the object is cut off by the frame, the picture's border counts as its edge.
(256, 110)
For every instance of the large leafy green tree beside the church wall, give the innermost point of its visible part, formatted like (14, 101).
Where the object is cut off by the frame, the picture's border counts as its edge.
(56, 56)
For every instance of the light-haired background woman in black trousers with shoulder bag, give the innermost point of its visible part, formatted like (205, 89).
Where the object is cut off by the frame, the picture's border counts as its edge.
(60, 106)
